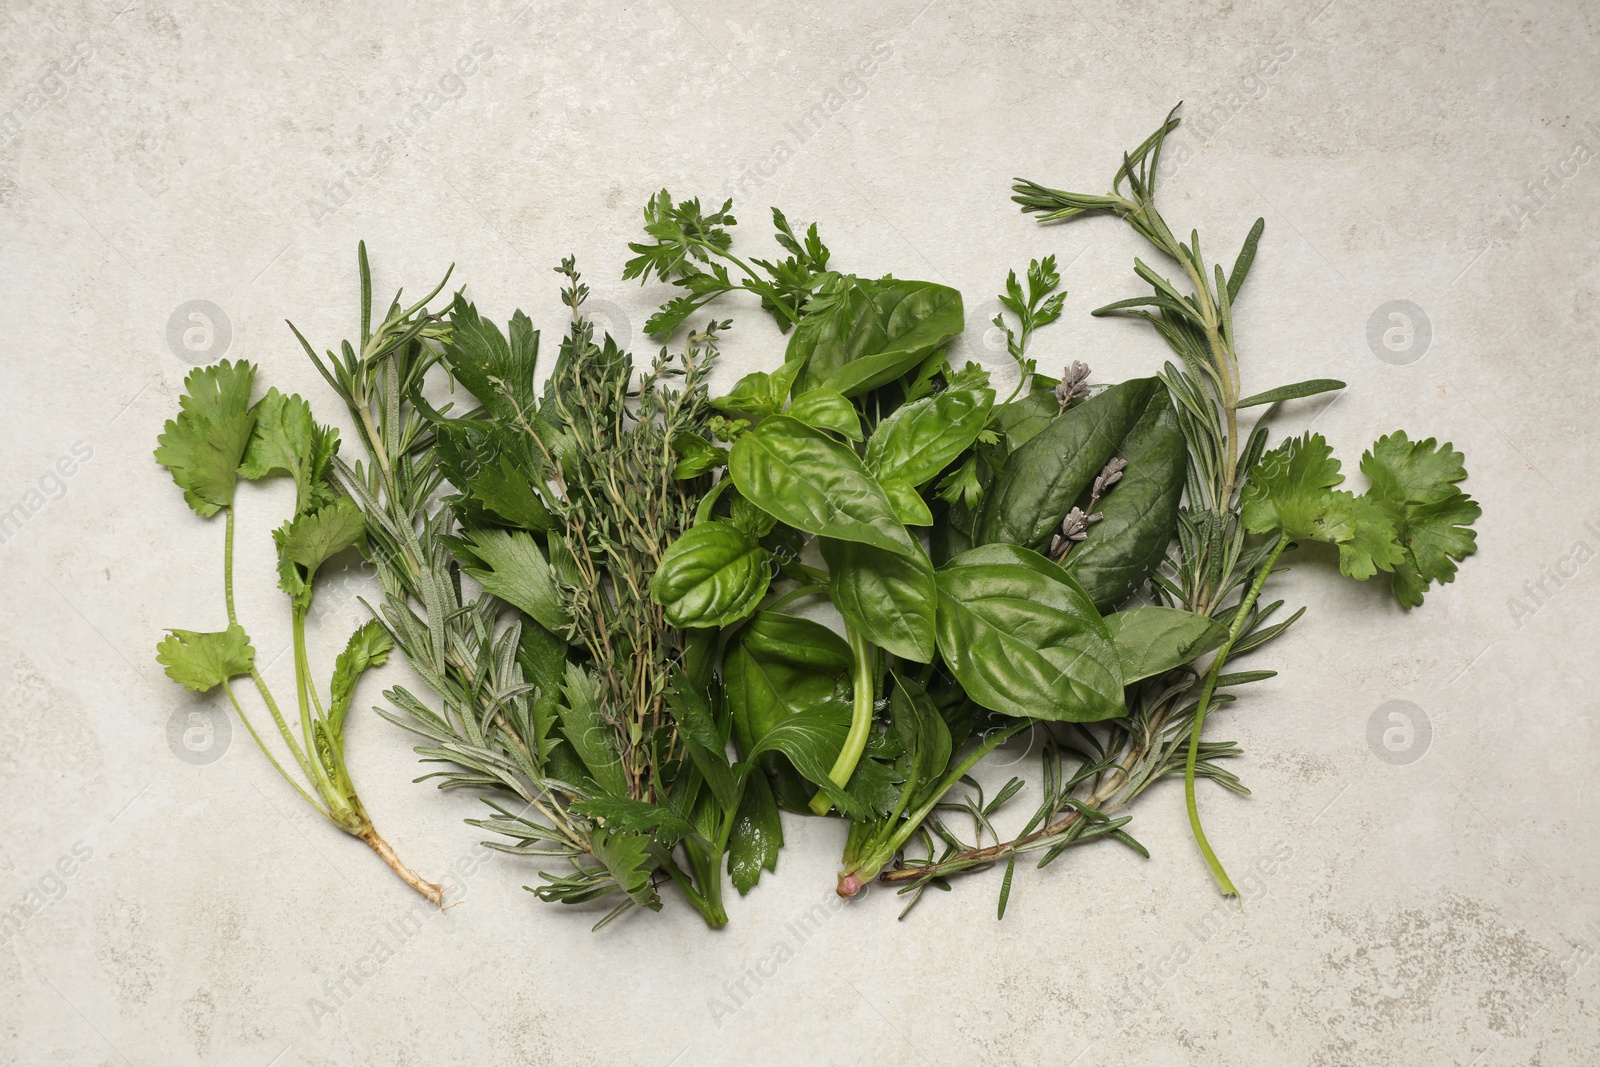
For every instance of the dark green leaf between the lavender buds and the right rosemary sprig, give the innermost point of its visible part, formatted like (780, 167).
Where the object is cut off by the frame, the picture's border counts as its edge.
(1140, 514)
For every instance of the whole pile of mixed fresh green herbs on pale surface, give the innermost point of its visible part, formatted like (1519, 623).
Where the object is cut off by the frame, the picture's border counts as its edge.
(598, 580)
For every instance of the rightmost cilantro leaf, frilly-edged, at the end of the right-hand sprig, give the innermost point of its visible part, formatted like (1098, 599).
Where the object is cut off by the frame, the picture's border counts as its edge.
(1415, 486)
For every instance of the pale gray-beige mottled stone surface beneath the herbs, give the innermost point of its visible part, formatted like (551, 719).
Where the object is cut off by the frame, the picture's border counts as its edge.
(1436, 911)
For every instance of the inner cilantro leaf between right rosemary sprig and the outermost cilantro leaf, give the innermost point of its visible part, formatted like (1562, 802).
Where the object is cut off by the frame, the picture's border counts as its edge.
(1292, 492)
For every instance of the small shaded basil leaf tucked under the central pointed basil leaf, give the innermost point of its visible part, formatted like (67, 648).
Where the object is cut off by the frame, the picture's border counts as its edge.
(889, 596)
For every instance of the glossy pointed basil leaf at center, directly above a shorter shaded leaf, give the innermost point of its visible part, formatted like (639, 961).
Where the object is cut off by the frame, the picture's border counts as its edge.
(815, 484)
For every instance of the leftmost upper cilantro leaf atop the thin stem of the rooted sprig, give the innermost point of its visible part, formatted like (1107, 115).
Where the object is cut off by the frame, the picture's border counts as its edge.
(206, 444)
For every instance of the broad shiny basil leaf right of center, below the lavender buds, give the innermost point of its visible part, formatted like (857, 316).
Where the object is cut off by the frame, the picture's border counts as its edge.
(1025, 639)
